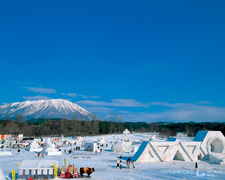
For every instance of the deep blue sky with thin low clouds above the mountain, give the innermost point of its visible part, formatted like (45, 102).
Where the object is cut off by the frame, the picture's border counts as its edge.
(145, 60)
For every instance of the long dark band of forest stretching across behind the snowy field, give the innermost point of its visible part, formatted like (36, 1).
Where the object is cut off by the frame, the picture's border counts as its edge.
(57, 127)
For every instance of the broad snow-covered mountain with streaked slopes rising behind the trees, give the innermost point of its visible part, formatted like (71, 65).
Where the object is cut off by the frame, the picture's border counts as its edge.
(53, 108)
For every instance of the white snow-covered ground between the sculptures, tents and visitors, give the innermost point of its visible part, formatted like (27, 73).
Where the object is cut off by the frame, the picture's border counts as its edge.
(105, 162)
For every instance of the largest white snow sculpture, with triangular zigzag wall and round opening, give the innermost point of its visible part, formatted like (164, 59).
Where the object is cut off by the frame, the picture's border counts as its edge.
(206, 144)
